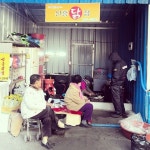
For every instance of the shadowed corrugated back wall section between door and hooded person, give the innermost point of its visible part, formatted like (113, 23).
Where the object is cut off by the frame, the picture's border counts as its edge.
(106, 41)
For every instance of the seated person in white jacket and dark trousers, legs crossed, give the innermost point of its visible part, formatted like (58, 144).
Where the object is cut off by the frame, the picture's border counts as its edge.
(34, 106)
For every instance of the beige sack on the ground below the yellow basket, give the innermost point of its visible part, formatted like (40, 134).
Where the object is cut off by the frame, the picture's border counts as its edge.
(15, 123)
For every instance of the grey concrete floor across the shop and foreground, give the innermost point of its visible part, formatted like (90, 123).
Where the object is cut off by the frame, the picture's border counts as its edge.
(76, 138)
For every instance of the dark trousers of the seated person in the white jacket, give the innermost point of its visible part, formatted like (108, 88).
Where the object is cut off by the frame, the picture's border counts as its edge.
(49, 121)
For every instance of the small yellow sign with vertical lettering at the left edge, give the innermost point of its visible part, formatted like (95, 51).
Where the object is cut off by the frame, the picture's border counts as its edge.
(4, 66)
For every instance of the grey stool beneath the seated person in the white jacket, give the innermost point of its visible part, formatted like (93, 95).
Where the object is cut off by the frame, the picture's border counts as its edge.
(32, 124)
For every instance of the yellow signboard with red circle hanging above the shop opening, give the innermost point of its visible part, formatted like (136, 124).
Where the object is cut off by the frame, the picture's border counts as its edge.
(82, 12)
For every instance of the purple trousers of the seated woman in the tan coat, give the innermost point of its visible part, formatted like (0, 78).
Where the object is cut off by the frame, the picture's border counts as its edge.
(87, 111)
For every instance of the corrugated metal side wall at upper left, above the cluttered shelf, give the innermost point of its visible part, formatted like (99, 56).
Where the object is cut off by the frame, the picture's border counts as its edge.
(11, 21)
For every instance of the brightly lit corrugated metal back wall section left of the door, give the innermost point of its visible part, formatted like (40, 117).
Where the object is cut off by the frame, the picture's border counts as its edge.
(57, 47)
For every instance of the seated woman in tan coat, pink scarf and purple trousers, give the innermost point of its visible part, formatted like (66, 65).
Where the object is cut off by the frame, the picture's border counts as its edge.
(75, 100)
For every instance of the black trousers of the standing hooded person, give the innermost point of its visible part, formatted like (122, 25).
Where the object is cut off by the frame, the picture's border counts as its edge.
(117, 98)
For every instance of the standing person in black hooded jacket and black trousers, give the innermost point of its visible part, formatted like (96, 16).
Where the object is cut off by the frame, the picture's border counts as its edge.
(119, 70)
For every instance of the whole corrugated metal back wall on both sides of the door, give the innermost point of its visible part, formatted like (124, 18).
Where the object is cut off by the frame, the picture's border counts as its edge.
(59, 44)
